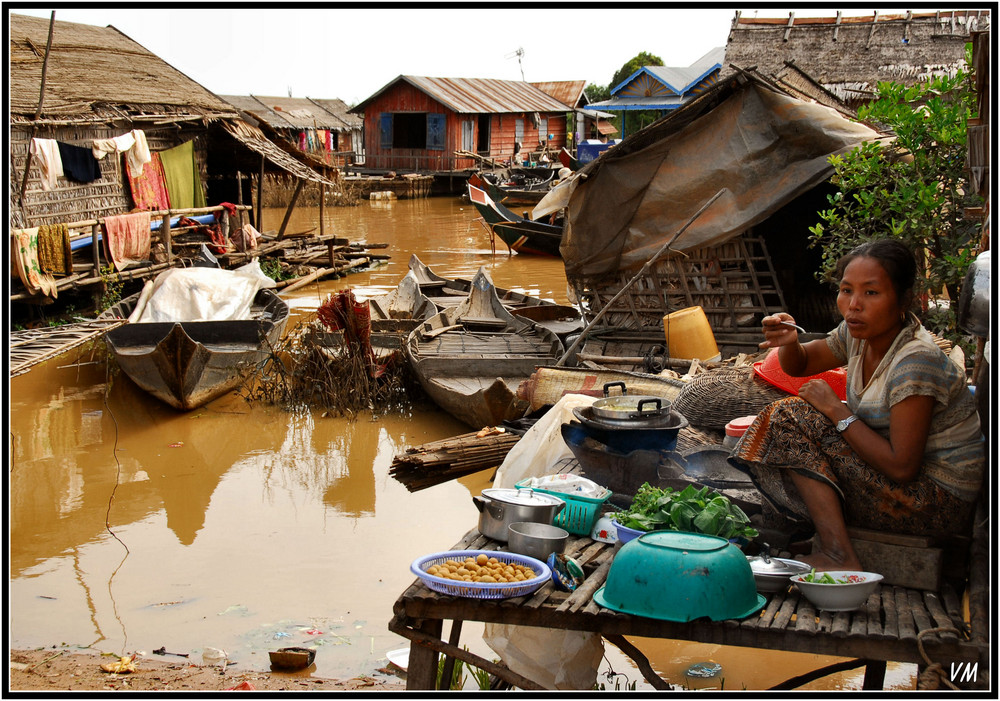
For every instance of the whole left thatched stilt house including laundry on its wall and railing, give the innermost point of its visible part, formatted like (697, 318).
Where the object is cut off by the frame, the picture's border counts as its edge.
(78, 92)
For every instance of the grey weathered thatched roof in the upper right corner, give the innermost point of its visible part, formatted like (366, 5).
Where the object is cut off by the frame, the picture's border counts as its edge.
(849, 56)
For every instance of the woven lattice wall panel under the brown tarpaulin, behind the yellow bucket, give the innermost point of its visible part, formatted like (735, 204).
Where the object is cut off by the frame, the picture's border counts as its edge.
(734, 283)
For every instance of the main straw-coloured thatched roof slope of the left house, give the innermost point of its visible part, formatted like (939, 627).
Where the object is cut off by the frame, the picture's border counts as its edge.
(97, 74)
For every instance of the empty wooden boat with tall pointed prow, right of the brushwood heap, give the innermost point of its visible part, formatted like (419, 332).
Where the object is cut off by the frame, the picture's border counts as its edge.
(471, 358)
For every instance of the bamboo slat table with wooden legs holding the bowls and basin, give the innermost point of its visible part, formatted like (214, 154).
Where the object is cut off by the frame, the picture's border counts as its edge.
(896, 624)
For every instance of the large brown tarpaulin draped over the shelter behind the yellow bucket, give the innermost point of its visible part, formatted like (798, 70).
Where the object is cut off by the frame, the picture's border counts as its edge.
(763, 146)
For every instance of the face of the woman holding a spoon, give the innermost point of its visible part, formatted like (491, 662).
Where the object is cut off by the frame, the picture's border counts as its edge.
(868, 301)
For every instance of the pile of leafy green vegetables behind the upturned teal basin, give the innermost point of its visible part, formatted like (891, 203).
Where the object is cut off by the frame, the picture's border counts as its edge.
(692, 510)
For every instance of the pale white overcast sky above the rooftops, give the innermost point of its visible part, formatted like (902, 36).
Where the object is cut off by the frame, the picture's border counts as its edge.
(331, 52)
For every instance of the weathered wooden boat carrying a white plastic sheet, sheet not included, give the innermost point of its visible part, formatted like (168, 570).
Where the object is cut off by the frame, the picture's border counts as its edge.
(187, 364)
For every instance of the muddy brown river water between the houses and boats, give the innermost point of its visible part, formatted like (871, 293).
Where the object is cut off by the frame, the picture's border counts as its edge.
(134, 527)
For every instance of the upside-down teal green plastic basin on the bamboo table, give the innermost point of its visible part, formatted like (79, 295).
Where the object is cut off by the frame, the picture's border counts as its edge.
(677, 576)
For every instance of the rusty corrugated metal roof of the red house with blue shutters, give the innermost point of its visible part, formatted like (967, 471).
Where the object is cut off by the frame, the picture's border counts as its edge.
(480, 95)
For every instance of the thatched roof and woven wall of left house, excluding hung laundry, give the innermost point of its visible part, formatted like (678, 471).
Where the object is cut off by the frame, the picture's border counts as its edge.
(100, 84)
